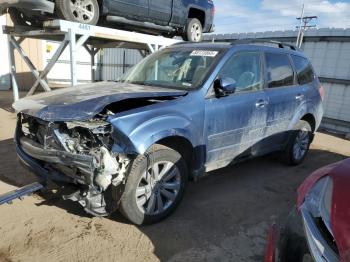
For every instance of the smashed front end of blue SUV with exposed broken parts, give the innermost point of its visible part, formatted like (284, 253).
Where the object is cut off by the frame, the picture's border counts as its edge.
(78, 152)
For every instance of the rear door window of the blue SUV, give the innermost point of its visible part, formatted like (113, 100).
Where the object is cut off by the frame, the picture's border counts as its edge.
(279, 70)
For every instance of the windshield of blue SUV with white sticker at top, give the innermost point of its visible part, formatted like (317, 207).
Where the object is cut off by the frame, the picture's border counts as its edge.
(173, 68)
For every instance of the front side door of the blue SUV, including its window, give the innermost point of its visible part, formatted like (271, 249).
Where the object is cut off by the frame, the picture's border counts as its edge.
(235, 123)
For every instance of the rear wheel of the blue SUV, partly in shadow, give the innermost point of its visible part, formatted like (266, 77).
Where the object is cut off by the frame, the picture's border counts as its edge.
(298, 144)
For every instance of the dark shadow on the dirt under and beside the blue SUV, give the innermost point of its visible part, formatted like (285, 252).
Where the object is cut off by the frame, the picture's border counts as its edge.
(224, 216)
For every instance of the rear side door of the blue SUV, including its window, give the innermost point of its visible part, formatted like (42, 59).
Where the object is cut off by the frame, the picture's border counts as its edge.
(284, 94)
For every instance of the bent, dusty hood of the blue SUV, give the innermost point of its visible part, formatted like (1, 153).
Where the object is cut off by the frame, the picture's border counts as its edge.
(84, 102)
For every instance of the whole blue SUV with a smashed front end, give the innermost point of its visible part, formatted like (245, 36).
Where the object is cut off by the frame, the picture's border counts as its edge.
(185, 110)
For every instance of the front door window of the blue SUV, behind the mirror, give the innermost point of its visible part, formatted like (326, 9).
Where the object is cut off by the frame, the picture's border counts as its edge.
(245, 69)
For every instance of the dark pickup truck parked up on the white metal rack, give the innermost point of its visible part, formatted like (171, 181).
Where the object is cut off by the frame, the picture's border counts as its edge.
(187, 18)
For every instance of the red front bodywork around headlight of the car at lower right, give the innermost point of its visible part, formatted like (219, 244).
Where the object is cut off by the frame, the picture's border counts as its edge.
(340, 210)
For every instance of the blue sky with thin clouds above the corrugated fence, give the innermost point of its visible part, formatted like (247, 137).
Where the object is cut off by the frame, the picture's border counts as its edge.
(236, 16)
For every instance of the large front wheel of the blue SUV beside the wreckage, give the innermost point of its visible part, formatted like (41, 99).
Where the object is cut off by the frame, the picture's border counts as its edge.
(155, 186)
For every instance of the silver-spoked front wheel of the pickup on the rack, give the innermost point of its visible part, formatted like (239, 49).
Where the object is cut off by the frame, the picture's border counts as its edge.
(81, 11)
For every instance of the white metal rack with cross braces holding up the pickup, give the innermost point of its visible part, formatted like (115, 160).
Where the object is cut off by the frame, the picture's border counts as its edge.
(75, 35)
